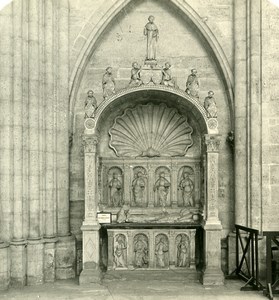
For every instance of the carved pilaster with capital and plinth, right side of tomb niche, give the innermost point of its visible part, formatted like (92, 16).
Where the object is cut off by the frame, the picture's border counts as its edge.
(213, 274)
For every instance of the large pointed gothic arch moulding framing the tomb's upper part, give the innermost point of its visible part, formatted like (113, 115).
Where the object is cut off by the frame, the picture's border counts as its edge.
(106, 13)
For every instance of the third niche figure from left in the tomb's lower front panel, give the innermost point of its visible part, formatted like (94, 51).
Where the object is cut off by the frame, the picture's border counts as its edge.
(162, 251)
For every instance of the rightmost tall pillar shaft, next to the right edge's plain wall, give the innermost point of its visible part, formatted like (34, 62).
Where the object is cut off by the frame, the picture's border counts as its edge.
(255, 115)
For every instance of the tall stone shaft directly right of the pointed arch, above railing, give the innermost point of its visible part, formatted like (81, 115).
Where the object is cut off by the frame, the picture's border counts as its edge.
(240, 154)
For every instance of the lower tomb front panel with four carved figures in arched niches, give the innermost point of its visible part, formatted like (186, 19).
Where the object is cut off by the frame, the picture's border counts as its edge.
(151, 248)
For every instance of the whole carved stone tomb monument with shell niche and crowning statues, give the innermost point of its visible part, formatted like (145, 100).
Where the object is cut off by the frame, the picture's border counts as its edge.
(158, 194)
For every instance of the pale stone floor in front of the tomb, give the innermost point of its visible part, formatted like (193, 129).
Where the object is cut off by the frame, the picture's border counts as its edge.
(134, 285)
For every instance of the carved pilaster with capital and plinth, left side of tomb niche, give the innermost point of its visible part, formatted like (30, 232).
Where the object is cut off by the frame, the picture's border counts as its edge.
(90, 226)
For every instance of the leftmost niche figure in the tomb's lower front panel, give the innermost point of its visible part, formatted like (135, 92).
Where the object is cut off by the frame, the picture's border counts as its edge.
(120, 251)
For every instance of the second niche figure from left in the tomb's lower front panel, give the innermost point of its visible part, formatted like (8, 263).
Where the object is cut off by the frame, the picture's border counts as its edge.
(141, 253)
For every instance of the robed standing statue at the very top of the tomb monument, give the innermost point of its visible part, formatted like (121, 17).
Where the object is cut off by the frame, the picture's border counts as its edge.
(152, 34)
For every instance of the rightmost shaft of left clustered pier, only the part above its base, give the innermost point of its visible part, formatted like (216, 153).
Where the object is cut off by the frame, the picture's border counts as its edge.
(62, 119)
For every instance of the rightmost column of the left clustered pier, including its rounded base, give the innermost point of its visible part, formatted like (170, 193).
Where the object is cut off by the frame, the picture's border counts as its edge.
(65, 247)
